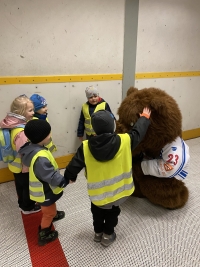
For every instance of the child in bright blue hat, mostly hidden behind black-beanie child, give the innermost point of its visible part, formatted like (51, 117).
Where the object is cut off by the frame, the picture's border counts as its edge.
(40, 109)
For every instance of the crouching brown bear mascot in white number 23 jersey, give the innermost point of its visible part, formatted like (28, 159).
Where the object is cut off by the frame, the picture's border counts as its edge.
(167, 187)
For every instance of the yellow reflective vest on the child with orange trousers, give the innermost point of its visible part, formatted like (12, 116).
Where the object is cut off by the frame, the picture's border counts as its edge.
(35, 186)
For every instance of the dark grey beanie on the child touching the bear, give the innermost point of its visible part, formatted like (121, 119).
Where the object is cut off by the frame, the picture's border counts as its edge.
(102, 122)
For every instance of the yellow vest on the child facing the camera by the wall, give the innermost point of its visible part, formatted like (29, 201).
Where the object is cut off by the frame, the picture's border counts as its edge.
(87, 124)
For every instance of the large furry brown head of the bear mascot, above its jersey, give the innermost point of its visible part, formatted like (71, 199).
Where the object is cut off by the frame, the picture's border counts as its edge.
(166, 119)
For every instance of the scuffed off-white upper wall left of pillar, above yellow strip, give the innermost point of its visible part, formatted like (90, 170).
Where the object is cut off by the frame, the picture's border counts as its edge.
(61, 37)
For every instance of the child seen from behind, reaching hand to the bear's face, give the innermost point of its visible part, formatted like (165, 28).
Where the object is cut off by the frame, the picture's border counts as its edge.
(107, 158)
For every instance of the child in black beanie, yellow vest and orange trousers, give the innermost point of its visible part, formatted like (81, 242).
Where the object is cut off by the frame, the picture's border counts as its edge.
(45, 181)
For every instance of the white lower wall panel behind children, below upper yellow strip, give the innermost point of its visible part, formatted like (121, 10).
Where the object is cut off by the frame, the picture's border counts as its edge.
(64, 106)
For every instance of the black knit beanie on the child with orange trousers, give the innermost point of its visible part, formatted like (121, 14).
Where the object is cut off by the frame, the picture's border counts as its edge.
(37, 130)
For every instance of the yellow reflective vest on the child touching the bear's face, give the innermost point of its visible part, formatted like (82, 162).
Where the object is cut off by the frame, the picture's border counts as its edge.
(110, 180)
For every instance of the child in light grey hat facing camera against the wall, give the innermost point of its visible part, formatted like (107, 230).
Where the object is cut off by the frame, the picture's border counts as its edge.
(94, 103)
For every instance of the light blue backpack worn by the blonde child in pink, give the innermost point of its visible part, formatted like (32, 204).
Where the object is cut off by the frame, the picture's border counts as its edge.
(7, 154)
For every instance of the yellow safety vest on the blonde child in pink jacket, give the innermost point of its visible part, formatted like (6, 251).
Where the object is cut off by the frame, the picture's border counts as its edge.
(16, 165)
